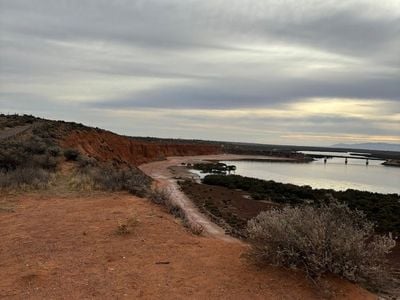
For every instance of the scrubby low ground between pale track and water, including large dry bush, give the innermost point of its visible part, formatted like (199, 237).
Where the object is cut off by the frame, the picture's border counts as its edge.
(319, 231)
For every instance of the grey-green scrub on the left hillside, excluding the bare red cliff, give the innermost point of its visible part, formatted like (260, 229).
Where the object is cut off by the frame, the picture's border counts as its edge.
(33, 158)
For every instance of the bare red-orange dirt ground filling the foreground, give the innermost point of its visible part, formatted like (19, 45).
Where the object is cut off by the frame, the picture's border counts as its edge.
(65, 247)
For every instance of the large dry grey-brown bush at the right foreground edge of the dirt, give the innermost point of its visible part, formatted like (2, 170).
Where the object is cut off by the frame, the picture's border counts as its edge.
(329, 238)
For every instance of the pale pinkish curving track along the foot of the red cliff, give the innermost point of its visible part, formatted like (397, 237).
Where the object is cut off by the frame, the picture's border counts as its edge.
(161, 171)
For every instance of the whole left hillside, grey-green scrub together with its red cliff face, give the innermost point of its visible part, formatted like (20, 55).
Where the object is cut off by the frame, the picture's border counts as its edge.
(33, 151)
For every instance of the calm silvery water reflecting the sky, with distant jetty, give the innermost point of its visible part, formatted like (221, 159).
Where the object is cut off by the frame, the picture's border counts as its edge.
(333, 175)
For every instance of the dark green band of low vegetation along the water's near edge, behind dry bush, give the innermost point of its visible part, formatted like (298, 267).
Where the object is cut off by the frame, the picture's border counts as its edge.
(381, 209)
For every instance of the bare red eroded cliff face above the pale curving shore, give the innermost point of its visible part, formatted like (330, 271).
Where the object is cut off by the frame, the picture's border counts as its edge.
(107, 146)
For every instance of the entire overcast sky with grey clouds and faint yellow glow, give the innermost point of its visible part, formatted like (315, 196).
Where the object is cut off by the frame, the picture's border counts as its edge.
(276, 72)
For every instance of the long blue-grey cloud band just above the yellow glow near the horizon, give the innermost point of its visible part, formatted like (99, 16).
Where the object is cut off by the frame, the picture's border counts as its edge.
(245, 93)
